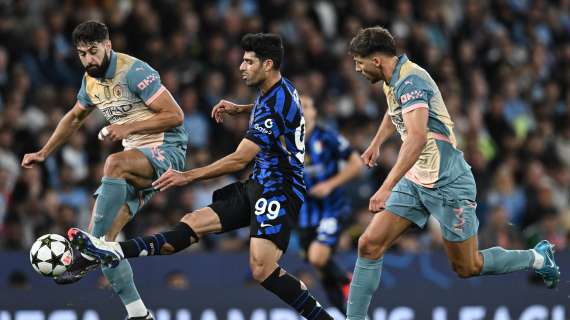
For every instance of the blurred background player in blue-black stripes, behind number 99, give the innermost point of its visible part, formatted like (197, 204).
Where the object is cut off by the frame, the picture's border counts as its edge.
(330, 162)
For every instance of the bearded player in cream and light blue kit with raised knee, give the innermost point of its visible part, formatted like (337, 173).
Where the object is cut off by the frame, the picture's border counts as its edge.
(144, 115)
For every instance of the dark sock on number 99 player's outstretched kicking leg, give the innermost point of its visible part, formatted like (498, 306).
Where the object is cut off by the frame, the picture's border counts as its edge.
(179, 238)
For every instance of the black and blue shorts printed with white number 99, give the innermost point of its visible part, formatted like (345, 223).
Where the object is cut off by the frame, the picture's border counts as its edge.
(270, 214)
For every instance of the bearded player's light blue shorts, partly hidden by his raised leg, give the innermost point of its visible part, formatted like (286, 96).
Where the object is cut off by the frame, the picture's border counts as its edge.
(161, 158)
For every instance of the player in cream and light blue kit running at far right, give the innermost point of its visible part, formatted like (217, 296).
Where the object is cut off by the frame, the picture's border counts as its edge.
(430, 177)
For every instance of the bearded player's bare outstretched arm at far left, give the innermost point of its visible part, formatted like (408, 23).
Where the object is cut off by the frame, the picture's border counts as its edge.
(70, 122)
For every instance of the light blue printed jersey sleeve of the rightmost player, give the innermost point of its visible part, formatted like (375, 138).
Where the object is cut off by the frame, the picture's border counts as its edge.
(412, 93)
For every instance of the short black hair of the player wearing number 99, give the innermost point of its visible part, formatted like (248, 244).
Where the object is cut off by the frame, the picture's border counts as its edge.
(266, 46)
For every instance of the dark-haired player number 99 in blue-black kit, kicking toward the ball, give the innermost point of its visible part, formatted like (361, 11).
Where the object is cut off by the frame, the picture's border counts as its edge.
(268, 202)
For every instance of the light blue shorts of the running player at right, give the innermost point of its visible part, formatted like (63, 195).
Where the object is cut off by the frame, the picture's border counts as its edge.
(453, 205)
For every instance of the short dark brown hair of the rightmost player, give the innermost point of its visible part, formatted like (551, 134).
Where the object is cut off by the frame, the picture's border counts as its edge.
(370, 40)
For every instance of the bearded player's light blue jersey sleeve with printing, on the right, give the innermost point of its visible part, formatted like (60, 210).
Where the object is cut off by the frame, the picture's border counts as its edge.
(144, 81)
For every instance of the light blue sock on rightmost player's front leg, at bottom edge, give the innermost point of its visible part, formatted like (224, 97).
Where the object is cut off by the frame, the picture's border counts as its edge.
(365, 281)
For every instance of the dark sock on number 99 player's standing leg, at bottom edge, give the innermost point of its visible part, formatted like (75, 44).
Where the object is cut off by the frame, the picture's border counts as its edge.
(295, 293)
